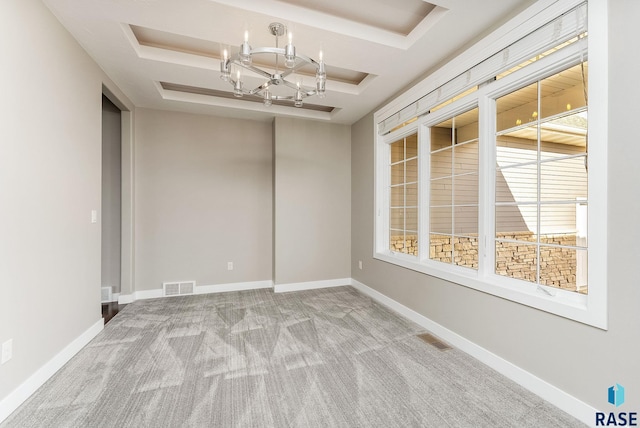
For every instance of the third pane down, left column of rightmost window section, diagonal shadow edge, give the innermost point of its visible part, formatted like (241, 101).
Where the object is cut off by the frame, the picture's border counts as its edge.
(517, 184)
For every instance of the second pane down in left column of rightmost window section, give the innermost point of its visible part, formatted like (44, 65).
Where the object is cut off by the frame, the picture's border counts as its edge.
(513, 150)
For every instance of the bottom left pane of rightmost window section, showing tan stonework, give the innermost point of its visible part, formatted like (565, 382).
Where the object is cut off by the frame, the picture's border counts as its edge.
(517, 260)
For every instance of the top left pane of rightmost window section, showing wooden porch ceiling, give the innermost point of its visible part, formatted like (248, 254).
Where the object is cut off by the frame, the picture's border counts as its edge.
(517, 108)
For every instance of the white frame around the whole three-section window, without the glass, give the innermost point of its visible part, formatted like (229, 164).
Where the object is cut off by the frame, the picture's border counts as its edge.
(590, 309)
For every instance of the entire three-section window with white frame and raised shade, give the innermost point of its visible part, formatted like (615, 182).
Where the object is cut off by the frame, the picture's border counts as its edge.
(510, 168)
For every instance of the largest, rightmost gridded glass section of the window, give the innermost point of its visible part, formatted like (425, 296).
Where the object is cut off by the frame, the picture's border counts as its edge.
(541, 182)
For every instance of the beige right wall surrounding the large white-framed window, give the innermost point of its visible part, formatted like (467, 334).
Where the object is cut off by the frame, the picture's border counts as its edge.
(581, 360)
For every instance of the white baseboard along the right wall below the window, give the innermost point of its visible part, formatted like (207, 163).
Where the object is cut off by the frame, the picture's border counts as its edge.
(566, 402)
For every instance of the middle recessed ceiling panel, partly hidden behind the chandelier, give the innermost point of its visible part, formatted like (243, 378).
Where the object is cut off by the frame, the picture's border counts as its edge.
(194, 46)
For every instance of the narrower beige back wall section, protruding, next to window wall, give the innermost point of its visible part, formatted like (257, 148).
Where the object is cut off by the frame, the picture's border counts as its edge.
(312, 194)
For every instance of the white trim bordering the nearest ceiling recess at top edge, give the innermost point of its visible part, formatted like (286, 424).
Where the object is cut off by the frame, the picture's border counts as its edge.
(339, 25)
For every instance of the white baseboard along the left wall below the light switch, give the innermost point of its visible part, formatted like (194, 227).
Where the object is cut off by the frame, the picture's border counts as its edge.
(35, 381)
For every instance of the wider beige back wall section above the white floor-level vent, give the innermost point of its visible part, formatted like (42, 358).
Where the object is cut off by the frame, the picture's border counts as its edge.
(203, 198)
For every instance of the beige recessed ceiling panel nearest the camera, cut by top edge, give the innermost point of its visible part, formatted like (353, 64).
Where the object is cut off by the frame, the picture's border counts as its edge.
(398, 16)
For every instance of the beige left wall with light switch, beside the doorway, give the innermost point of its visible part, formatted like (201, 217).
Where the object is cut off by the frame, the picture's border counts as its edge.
(49, 183)
